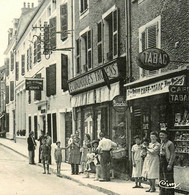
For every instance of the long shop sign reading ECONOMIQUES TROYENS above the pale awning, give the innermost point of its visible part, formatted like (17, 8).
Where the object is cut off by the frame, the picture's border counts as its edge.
(93, 78)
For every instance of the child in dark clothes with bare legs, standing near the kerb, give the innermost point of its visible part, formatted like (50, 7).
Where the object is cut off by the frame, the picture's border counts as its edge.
(45, 155)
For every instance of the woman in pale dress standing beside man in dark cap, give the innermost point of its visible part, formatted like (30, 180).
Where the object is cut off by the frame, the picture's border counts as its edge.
(151, 162)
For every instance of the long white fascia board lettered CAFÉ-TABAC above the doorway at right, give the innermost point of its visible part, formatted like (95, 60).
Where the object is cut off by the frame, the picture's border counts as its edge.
(155, 88)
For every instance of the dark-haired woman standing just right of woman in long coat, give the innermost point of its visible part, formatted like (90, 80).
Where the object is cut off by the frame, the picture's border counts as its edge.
(85, 150)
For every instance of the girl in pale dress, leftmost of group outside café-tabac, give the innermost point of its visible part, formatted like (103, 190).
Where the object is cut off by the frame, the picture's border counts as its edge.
(137, 162)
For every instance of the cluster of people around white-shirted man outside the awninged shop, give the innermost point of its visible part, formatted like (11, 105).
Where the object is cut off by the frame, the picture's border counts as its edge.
(96, 152)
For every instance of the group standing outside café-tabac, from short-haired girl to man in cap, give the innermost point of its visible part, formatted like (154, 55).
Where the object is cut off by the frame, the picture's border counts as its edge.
(153, 160)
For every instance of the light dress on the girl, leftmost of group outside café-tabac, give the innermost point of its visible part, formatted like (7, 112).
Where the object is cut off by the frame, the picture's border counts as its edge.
(137, 170)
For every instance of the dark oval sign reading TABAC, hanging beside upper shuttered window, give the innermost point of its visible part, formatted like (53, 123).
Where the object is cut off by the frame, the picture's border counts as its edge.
(153, 59)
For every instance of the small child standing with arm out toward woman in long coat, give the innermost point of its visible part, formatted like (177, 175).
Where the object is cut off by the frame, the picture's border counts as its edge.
(58, 157)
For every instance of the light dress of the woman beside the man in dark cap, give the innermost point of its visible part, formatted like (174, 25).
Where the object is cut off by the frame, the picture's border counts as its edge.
(151, 162)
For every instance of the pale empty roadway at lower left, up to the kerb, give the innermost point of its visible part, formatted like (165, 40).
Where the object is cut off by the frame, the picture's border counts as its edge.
(17, 177)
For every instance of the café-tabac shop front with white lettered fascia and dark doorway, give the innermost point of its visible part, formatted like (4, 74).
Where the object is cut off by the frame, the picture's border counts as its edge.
(162, 103)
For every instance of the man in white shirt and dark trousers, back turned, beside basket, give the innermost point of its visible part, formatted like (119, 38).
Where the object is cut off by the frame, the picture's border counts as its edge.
(105, 145)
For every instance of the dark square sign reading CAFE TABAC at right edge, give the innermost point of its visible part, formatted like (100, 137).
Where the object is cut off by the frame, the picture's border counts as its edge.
(178, 94)
